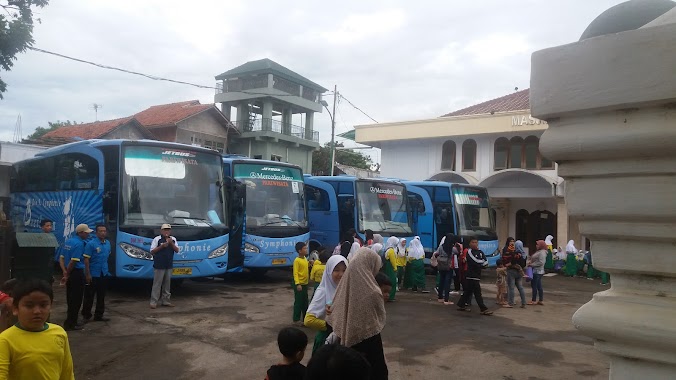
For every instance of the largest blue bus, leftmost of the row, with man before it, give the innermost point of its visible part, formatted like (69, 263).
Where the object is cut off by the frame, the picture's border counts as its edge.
(131, 187)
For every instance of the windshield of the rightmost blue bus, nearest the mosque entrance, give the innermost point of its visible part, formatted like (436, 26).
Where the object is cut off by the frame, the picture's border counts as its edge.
(475, 217)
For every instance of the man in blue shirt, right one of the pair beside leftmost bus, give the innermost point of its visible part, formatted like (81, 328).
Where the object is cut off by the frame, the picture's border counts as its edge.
(96, 274)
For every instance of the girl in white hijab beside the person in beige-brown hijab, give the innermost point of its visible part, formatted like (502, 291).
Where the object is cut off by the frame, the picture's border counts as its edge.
(323, 298)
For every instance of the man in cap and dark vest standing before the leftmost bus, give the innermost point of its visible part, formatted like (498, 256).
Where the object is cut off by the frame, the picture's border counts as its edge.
(162, 248)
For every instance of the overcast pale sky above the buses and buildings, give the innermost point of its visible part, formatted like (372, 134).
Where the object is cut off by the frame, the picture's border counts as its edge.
(396, 60)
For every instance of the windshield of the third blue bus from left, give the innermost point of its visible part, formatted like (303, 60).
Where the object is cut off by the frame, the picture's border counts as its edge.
(383, 208)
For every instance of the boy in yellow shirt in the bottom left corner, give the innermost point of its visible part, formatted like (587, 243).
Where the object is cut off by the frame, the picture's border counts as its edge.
(34, 349)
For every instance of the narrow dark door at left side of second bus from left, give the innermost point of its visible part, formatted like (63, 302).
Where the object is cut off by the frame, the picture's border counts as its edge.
(237, 193)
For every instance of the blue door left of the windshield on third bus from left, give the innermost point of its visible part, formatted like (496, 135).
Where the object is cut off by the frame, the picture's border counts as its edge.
(322, 208)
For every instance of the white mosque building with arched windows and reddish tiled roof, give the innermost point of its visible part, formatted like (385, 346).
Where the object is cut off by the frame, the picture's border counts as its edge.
(493, 144)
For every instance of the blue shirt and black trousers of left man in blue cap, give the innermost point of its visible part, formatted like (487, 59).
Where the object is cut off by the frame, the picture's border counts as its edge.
(73, 250)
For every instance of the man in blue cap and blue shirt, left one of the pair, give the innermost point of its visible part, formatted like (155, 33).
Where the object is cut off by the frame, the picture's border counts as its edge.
(73, 277)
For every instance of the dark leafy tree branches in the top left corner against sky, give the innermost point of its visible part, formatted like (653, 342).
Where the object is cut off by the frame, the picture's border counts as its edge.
(16, 31)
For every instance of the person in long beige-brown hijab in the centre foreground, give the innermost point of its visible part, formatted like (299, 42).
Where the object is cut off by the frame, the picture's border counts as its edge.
(358, 311)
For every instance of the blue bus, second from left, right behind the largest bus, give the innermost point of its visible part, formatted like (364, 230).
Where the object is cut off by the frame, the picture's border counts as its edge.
(274, 219)
